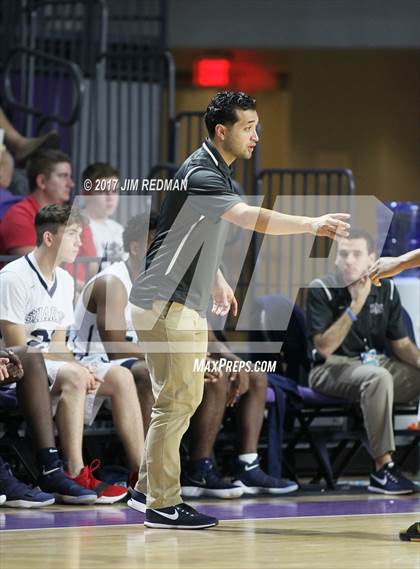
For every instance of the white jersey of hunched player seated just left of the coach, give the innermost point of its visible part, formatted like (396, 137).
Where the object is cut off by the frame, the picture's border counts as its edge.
(84, 336)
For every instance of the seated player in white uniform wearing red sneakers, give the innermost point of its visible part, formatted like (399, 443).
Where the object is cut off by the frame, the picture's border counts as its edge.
(36, 307)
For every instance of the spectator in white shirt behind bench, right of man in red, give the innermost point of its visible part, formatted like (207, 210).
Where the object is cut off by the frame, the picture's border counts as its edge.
(101, 201)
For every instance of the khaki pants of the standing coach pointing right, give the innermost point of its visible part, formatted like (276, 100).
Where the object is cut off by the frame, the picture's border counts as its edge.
(177, 389)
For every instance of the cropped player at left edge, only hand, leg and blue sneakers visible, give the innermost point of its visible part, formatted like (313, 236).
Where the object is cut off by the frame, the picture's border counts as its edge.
(34, 402)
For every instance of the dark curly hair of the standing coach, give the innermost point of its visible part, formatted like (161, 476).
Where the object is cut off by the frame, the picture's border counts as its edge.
(222, 109)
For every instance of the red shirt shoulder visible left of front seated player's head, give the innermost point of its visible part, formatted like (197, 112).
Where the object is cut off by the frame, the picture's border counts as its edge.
(18, 225)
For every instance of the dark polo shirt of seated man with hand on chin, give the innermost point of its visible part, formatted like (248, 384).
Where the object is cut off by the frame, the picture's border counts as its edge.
(380, 318)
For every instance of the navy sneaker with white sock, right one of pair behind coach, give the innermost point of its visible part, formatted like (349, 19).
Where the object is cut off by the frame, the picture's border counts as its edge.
(253, 480)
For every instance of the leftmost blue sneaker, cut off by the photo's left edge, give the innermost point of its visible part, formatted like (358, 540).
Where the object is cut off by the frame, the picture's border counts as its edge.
(20, 495)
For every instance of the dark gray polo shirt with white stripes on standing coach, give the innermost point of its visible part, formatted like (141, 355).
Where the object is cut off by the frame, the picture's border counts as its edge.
(183, 259)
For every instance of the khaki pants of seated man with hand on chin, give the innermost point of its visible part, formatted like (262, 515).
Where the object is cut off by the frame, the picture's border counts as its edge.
(376, 388)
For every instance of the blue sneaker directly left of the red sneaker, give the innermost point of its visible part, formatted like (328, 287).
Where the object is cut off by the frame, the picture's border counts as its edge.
(64, 488)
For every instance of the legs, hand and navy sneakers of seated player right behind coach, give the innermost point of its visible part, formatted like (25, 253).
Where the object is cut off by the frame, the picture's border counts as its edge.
(246, 390)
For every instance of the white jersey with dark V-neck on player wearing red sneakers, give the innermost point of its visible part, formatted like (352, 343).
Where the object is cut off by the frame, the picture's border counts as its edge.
(27, 298)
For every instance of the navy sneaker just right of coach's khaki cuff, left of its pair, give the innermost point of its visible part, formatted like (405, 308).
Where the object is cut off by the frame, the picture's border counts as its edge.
(202, 479)
